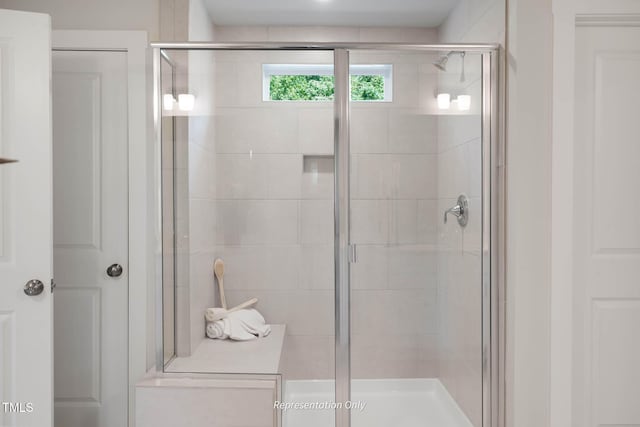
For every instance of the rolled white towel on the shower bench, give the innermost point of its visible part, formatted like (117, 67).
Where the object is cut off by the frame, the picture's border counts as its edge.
(241, 325)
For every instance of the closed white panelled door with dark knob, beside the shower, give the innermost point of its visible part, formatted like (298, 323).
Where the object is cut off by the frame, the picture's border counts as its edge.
(90, 235)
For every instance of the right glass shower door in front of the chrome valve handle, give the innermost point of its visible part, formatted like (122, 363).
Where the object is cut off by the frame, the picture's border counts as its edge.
(416, 302)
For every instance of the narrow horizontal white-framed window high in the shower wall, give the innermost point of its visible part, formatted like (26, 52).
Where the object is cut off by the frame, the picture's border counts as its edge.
(314, 82)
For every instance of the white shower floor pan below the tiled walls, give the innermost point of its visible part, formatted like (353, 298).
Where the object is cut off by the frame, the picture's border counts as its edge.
(398, 403)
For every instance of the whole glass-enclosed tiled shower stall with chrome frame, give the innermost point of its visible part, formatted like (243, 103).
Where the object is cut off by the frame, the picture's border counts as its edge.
(353, 190)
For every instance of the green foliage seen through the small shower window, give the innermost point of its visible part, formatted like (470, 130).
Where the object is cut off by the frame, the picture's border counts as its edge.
(321, 88)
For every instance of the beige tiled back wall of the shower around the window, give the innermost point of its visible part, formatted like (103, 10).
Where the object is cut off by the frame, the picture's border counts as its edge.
(273, 214)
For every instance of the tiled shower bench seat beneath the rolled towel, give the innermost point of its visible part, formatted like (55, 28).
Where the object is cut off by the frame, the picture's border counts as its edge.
(223, 384)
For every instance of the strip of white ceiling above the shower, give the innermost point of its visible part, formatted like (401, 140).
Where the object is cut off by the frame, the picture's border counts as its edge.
(361, 13)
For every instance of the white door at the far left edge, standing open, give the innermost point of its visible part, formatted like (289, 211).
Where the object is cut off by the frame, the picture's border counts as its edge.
(25, 220)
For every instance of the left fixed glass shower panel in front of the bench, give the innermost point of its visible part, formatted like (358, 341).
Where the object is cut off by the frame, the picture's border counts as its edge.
(253, 164)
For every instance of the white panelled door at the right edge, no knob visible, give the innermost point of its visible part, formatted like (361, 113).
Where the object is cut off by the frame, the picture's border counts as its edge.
(607, 227)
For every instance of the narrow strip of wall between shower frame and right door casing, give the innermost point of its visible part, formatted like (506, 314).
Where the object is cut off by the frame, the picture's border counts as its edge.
(528, 208)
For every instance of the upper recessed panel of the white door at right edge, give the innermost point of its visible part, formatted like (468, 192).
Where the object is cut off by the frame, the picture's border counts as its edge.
(612, 154)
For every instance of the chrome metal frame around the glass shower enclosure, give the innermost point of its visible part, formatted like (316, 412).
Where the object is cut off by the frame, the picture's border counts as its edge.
(492, 208)
